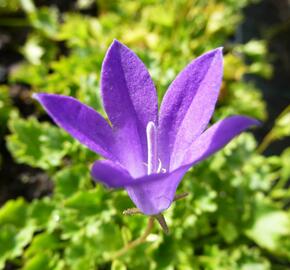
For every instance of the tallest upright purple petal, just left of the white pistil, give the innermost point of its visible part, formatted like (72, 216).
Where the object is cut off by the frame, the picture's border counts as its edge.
(130, 101)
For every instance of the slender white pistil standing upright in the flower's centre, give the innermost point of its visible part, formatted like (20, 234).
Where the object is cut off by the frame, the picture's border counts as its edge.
(152, 148)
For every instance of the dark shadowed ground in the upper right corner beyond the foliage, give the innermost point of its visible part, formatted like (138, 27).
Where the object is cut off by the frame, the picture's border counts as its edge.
(270, 20)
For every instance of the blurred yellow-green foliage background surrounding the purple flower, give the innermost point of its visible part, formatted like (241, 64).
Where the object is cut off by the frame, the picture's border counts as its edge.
(53, 216)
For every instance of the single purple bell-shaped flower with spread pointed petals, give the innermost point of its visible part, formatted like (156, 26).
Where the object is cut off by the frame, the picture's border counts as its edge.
(148, 153)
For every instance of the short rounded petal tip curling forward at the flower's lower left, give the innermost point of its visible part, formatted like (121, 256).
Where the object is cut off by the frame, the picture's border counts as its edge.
(110, 174)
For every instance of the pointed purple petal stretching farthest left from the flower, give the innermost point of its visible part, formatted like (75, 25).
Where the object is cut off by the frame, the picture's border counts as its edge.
(80, 121)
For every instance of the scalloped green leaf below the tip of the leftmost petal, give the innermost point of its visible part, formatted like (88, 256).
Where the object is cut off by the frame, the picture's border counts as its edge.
(37, 144)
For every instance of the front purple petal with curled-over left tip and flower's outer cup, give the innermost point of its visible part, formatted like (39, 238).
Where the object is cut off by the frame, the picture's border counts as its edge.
(152, 194)
